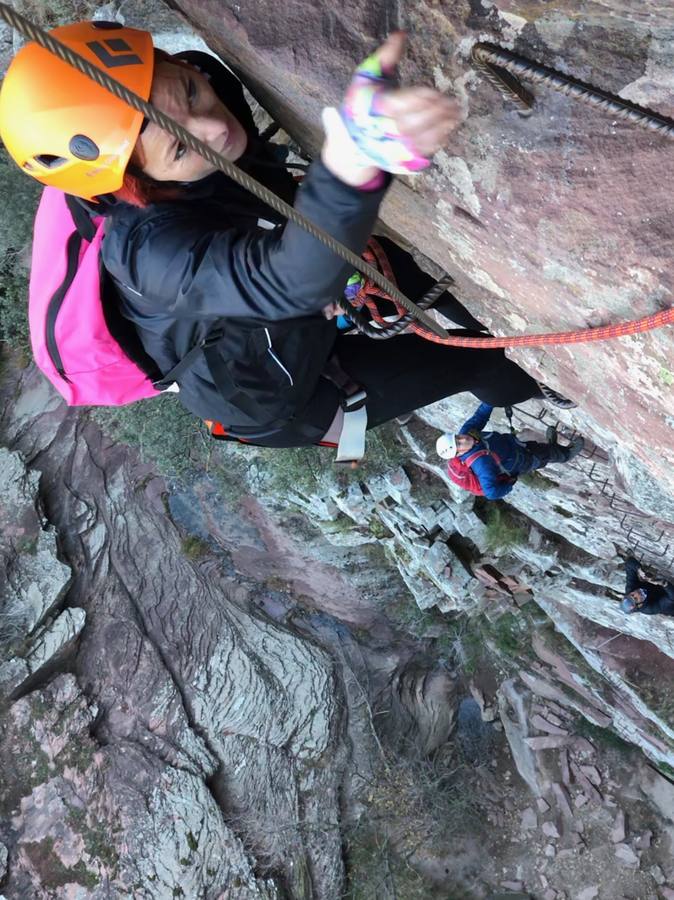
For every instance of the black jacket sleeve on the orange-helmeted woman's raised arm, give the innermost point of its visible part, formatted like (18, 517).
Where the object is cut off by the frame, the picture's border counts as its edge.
(188, 270)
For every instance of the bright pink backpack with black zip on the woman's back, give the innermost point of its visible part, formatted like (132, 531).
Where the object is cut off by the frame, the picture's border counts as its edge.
(72, 343)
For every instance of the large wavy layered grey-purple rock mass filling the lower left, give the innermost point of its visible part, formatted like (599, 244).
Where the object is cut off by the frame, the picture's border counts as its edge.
(152, 701)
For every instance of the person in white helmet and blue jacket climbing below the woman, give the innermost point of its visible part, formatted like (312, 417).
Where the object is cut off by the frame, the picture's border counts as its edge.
(497, 459)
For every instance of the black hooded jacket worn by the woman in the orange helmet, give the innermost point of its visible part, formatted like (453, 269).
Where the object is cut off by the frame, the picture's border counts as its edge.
(218, 253)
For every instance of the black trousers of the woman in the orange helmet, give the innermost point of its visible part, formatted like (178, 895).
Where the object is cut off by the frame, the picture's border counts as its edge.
(407, 372)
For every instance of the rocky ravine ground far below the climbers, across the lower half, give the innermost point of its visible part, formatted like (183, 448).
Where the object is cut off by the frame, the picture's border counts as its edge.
(328, 691)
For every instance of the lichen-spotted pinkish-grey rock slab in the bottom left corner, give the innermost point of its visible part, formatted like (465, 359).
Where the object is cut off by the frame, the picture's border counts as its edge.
(82, 804)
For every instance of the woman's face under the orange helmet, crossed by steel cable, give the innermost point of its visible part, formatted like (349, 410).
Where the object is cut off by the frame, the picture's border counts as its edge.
(186, 96)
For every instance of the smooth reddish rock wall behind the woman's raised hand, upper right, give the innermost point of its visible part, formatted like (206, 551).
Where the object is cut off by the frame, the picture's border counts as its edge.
(554, 222)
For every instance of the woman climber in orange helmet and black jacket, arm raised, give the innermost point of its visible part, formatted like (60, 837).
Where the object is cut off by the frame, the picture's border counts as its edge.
(197, 261)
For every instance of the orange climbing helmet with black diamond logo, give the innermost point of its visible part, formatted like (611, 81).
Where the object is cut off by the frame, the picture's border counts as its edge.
(61, 127)
